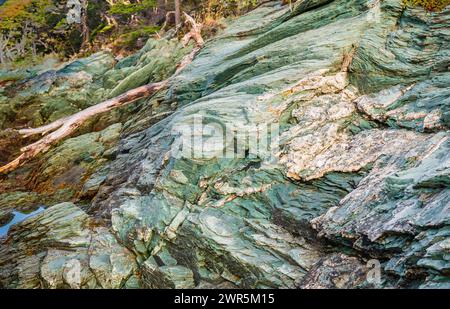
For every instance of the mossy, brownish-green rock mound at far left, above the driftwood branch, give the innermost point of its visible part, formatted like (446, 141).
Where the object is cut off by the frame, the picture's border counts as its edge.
(56, 93)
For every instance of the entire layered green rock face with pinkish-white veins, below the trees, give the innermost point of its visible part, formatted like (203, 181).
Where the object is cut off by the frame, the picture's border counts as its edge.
(357, 173)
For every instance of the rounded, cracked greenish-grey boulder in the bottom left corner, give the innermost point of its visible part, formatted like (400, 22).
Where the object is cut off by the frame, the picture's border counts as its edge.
(62, 248)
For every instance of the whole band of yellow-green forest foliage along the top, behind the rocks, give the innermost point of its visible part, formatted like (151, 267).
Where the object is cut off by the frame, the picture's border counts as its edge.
(30, 29)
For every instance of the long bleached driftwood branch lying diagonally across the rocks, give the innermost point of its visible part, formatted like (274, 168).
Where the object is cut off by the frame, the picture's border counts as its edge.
(64, 127)
